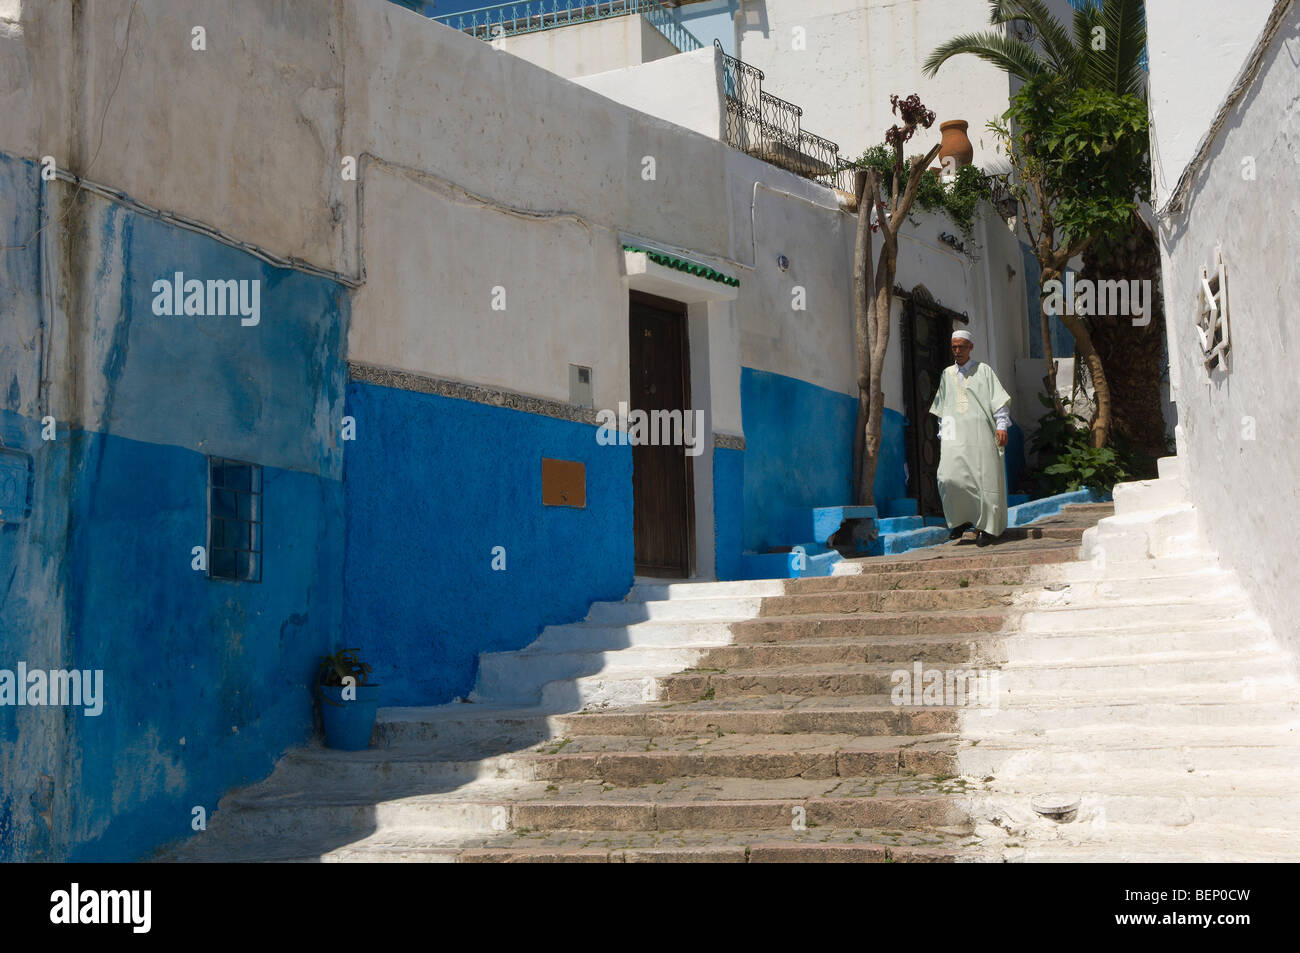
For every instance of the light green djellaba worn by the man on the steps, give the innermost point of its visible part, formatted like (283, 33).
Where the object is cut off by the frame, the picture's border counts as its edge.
(972, 476)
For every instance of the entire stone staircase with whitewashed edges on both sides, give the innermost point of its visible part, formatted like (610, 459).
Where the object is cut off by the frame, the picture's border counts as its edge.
(759, 721)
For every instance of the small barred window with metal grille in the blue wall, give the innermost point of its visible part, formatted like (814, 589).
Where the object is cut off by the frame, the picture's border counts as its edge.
(235, 521)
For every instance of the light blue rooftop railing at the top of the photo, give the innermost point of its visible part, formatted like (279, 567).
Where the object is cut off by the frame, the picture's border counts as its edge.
(508, 20)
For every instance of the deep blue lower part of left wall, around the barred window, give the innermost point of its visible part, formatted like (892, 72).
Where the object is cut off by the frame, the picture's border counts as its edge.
(206, 681)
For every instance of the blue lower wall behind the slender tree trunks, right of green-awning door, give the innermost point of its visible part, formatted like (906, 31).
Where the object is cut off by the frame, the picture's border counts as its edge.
(800, 454)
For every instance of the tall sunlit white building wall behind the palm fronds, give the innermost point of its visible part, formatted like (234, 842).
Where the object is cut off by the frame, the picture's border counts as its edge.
(860, 53)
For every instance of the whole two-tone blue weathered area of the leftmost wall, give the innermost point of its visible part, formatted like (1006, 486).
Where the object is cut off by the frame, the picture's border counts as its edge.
(99, 577)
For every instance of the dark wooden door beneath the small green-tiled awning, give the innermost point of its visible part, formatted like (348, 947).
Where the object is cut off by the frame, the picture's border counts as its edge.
(662, 492)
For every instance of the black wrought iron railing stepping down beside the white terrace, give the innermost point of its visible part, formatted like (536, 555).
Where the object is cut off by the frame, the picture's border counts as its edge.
(770, 128)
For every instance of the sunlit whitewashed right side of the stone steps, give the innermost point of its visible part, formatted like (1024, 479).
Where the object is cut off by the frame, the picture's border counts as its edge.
(1149, 695)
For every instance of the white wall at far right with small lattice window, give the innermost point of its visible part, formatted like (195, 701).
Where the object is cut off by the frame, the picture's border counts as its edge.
(1246, 491)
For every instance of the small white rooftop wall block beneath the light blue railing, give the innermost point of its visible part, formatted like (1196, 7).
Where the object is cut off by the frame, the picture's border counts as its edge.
(595, 46)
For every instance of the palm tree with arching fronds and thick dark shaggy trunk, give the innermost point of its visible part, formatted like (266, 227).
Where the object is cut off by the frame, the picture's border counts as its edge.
(1103, 49)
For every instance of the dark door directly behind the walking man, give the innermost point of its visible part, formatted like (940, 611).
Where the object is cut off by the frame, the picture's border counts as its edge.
(928, 353)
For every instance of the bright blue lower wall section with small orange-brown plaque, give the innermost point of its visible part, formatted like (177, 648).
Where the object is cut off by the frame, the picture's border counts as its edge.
(422, 599)
